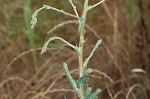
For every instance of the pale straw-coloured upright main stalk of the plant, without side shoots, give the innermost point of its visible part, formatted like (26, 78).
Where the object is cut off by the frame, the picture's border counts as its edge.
(81, 43)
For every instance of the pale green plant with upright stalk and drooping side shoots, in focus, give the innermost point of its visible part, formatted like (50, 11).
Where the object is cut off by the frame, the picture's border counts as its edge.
(80, 85)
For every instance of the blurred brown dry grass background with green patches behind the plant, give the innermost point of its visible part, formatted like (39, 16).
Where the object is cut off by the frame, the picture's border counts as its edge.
(121, 65)
